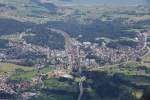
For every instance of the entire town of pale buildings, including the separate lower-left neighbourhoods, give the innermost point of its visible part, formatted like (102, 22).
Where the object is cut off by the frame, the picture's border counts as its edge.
(75, 56)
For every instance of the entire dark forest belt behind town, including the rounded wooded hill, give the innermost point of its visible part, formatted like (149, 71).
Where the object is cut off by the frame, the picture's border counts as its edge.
(110, 29)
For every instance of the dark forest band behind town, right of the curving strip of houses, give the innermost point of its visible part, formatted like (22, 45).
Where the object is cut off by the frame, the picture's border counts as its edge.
(111, 29)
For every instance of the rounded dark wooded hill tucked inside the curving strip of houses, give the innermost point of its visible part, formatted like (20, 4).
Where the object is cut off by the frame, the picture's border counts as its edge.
(46, 38)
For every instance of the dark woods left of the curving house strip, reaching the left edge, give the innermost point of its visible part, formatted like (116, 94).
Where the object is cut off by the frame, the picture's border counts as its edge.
(43, 37)
